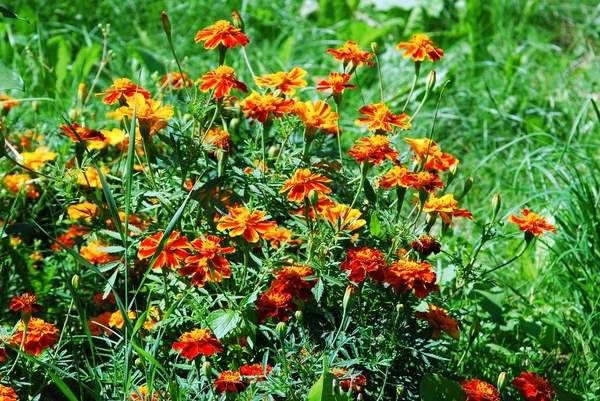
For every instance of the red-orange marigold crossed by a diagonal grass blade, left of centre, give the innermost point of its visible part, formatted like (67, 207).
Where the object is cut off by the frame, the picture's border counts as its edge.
(172, 253)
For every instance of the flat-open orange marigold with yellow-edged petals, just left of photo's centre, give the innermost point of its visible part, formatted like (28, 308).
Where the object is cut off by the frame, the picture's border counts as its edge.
(250, 225)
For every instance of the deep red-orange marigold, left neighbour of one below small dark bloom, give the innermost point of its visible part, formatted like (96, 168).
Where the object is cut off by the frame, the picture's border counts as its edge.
(363, 260)
